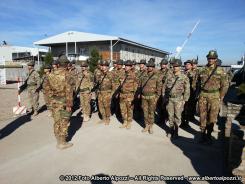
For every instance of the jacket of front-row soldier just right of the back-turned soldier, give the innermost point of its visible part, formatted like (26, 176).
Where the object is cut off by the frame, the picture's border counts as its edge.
(87, 82)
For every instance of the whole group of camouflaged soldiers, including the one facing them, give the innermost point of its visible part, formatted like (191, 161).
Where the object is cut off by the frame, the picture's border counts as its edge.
(169, 92)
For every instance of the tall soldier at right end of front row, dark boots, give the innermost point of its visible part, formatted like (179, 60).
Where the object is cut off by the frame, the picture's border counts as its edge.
(212, 94)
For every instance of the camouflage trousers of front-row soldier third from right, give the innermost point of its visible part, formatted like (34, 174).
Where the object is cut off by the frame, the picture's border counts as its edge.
(149, 107)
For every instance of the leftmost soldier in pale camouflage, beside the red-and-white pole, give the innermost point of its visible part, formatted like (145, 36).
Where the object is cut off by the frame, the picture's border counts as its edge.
(33, 83)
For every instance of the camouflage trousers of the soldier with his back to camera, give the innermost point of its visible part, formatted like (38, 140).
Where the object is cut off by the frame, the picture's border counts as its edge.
(61, 118)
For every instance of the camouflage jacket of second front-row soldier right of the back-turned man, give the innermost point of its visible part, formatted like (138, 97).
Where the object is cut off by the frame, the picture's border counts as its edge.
(106, 82)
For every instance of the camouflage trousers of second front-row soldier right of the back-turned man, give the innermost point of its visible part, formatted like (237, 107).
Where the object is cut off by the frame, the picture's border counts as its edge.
(104, 100)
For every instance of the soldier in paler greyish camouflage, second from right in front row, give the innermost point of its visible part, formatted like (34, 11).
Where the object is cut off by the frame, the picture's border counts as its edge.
(178, 90)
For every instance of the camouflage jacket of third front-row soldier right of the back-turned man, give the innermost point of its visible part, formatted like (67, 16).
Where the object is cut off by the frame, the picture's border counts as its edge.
(130, 85)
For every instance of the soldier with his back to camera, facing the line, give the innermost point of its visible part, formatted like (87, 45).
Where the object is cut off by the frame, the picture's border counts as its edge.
(60, 84)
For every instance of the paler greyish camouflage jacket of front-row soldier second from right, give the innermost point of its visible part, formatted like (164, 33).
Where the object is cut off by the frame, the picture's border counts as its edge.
(180, 89)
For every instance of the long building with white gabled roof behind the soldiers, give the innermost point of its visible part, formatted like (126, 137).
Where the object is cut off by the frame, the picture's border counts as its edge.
(73, 43)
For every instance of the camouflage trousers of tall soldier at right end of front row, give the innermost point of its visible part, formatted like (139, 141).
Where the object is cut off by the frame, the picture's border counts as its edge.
(208, 105)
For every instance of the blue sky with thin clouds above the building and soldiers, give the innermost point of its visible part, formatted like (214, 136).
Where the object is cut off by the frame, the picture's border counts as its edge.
(163, 24)
